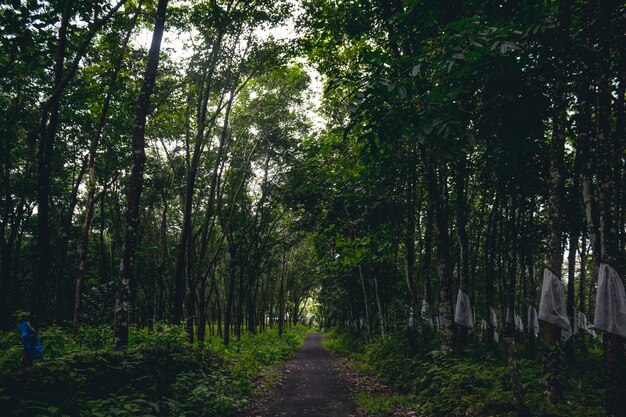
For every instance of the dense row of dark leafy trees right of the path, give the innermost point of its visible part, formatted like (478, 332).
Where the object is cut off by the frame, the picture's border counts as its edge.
(469, 146)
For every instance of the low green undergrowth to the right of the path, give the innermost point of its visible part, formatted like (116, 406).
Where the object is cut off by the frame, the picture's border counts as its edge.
(434, 382)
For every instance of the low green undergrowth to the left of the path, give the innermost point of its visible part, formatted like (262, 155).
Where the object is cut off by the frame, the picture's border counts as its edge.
(160, 374)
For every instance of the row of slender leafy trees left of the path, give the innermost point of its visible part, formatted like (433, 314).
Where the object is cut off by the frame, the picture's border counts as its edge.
(142, 186)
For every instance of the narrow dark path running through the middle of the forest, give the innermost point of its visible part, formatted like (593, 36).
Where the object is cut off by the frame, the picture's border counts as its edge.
(313, 387)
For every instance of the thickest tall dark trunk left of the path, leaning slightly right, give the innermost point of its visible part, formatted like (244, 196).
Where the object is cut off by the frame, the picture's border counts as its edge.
(120, 328)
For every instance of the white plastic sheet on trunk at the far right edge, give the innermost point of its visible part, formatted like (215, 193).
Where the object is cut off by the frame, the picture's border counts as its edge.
(610, 313)
